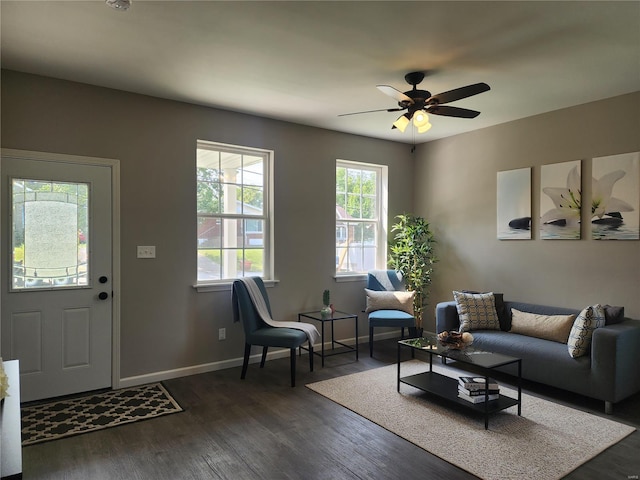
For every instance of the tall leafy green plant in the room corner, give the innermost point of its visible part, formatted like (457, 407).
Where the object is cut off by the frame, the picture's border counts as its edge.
(412, 255)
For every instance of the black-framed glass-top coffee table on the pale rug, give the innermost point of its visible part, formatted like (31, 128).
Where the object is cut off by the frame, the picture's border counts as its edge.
(447, 387)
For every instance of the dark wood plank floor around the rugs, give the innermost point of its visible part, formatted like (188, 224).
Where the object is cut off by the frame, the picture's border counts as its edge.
(261, 428)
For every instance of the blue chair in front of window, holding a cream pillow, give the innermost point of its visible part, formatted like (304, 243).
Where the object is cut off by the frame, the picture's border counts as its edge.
(387, 280)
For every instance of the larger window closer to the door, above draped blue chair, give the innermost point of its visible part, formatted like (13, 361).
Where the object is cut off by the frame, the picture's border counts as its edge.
(234, 212)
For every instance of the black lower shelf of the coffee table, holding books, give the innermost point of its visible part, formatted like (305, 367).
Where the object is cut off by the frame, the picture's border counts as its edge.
(447, 387)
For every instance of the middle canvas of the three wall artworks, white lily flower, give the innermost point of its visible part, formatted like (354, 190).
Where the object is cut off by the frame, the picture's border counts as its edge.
(562, 205)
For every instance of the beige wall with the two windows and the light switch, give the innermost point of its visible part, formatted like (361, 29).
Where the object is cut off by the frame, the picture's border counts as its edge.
(165, 323)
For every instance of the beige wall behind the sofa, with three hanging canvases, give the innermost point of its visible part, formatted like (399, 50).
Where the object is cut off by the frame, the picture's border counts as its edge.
(455, 190)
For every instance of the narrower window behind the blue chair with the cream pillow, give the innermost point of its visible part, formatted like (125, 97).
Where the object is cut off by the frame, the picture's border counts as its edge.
(361, 227)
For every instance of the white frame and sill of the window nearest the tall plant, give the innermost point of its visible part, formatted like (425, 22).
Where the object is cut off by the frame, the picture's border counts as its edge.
(381, 213)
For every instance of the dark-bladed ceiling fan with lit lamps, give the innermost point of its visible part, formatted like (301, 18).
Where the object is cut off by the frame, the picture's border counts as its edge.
(419, 103)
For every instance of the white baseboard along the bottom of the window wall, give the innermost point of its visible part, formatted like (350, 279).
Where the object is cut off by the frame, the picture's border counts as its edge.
(230, 363)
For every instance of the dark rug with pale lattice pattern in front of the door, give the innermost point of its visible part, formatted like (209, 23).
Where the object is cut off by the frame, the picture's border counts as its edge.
(64, 418)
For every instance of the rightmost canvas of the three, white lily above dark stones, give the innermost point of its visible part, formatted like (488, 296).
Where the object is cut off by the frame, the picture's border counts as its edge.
(615, 197)
